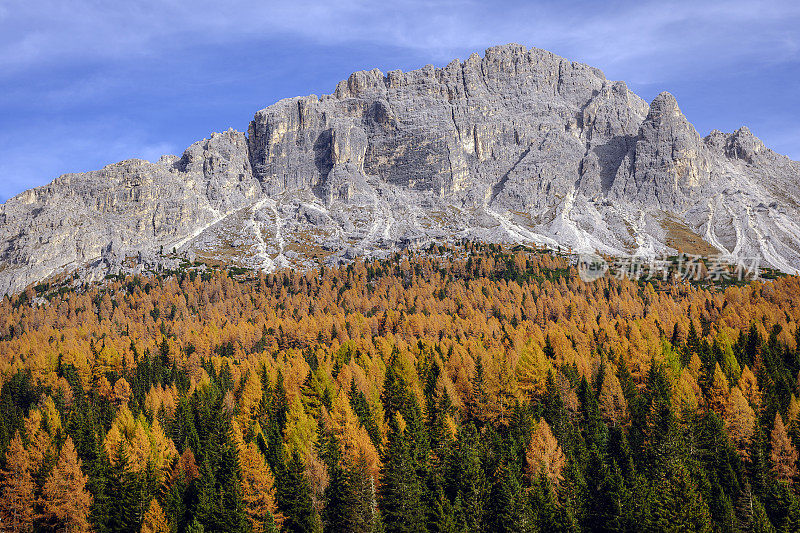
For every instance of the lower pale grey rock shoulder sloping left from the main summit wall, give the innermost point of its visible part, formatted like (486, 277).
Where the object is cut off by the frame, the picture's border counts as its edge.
(122, 209)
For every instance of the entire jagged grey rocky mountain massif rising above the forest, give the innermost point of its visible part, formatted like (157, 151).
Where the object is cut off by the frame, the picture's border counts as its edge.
(517, 146)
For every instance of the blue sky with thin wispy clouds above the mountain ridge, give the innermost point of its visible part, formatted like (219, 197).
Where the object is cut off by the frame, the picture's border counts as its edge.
(84, 84)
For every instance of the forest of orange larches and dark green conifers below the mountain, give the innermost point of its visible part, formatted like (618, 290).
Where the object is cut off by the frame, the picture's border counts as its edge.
(460, 388)
